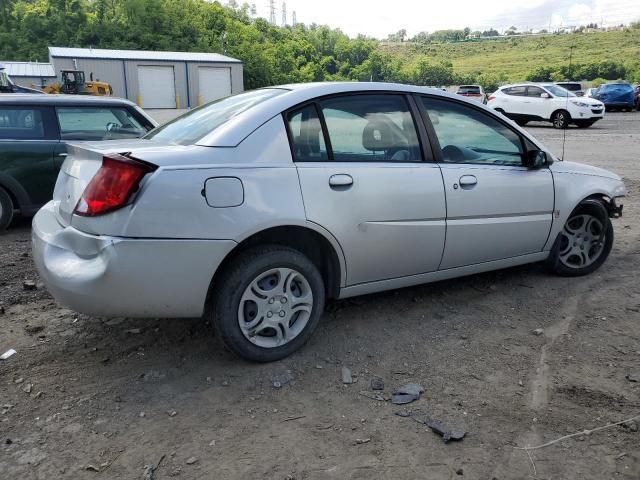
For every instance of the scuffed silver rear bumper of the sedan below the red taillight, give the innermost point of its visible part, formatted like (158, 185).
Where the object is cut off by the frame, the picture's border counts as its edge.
(124, 277)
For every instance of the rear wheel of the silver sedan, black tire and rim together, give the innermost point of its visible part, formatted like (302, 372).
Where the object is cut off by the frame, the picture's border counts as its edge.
(268, 302)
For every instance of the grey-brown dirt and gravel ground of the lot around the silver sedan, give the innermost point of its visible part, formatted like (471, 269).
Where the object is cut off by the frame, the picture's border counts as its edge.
(93, 398)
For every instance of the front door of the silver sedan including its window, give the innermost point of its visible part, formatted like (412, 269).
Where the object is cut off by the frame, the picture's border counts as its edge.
(496, 208)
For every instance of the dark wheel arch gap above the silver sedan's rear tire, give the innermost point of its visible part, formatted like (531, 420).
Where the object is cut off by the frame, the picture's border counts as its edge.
(310, 239)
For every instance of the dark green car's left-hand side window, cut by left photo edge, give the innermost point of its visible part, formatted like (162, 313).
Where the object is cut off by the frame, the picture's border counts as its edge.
(23, 123)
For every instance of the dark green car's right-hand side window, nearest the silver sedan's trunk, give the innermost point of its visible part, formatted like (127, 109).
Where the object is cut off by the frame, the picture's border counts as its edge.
(96, 123)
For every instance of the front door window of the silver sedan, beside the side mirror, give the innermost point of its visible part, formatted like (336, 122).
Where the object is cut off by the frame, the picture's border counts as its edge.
(467, 135)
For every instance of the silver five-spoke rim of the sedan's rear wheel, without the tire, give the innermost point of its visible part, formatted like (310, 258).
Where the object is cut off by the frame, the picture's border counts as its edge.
(275, 307)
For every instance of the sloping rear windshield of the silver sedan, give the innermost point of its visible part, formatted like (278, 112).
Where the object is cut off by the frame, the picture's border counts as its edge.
(199, 122)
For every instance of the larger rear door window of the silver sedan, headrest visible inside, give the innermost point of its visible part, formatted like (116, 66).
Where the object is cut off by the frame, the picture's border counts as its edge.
(371, 128)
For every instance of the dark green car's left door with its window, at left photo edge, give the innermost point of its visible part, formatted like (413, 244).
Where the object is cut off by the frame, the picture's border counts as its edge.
(28, 138)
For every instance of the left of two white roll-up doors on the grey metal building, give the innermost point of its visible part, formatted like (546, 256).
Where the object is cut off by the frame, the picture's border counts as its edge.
(157, 86)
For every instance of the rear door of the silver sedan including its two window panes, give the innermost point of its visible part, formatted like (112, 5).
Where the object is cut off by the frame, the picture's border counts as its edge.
(366, 179)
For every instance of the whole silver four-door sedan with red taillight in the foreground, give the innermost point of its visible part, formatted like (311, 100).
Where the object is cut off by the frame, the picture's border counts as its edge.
(254, 209)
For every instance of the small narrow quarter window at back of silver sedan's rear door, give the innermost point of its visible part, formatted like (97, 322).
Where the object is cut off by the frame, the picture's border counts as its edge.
(306, 135)
